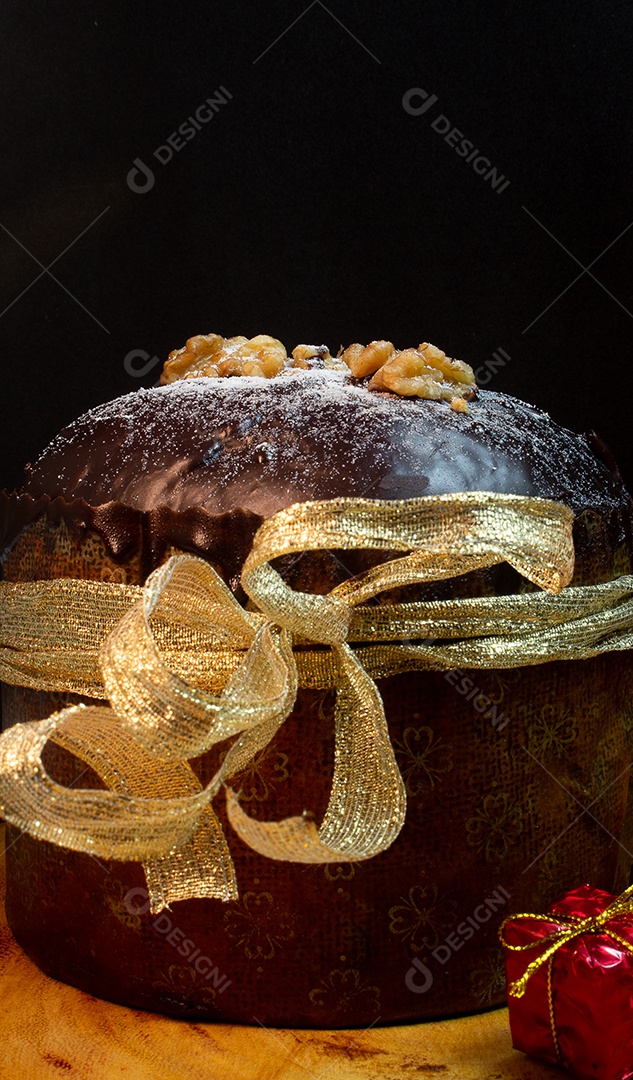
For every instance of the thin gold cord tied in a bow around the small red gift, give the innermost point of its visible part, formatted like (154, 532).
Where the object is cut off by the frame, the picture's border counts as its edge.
(569, 927)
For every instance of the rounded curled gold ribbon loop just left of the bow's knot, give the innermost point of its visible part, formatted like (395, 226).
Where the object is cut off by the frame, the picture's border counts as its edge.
(164, 712)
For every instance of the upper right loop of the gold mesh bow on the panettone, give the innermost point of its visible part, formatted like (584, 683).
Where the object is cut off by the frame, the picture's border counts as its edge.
(483, 528)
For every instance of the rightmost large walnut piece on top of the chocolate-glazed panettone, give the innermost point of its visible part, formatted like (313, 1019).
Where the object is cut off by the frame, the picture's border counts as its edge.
(429, 373)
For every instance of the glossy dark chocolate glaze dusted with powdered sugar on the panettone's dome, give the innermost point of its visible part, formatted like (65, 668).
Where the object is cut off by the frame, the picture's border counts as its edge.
(203, 462)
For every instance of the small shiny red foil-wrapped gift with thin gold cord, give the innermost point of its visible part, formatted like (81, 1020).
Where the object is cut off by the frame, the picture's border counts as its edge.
(571, 983)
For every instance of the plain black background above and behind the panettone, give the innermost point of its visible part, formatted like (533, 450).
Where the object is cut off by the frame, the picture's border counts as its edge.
(314, 207)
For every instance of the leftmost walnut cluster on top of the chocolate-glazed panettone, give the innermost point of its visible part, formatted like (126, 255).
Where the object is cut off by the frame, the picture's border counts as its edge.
(216, 357)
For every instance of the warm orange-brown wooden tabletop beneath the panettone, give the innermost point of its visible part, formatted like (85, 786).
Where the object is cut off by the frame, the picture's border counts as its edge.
(51, 1031)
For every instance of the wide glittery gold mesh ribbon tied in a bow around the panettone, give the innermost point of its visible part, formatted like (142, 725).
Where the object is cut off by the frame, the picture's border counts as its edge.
(185, 667)
